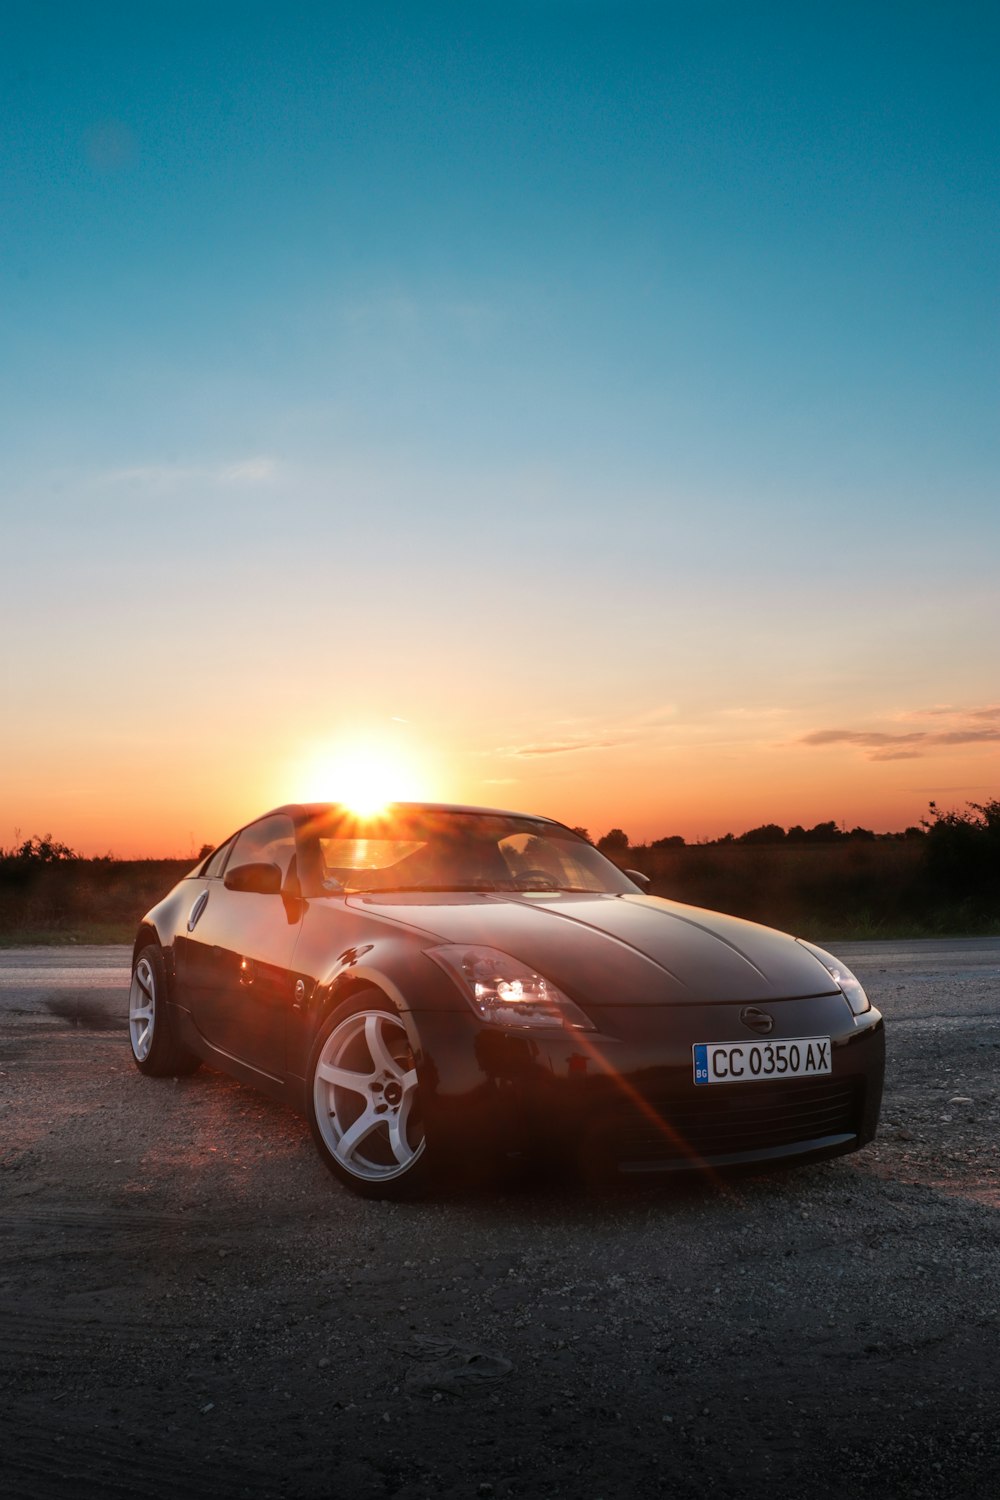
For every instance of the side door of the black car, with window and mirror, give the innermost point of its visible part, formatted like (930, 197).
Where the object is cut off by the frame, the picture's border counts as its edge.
(241, 952)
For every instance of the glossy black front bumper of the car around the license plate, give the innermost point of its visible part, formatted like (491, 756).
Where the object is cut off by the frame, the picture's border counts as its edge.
(617, 1103)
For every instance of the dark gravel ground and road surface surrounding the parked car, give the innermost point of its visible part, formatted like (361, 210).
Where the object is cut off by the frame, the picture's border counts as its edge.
(190, 1306)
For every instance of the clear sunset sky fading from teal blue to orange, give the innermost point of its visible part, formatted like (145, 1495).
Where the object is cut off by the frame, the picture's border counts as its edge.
(522, 373)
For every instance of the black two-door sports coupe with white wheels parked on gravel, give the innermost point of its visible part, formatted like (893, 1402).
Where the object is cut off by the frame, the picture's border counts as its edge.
(442, 982)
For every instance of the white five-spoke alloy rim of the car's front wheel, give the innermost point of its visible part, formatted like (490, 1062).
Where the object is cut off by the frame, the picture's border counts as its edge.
(365, 1097)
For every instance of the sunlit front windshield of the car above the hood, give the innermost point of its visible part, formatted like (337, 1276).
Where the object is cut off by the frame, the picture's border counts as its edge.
(424, 850)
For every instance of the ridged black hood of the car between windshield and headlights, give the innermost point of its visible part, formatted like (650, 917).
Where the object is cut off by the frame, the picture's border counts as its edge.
(618, 950)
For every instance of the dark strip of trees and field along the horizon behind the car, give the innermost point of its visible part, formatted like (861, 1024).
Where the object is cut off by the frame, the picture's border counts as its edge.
(822, 881)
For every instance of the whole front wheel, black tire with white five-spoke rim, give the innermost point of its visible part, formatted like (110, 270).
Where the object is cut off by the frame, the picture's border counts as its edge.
(364, 1102)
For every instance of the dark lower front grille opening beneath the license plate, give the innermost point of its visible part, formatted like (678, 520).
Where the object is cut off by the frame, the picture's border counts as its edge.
(729, 1120)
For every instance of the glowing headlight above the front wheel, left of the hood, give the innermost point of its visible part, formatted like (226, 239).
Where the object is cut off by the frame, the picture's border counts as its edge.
(506, 992)
